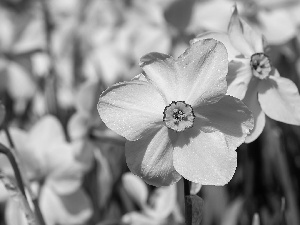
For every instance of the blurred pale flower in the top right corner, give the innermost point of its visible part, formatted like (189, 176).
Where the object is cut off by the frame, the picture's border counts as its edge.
(277, 20)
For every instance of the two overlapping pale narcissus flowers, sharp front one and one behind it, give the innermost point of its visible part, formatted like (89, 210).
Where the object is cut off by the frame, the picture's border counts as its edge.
(176, 116)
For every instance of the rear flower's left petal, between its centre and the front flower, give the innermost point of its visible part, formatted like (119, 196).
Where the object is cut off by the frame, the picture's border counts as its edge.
(238, 77)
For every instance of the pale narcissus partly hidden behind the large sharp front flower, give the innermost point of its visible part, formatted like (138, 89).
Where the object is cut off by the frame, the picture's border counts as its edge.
(252, 79)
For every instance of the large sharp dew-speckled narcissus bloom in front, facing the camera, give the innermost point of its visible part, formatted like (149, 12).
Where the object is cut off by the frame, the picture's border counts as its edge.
(177, 119)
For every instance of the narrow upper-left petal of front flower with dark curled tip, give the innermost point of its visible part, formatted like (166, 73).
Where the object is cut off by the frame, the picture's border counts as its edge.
(161, 72)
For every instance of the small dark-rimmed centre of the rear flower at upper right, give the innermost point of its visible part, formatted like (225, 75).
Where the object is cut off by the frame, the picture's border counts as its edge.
(260, 65)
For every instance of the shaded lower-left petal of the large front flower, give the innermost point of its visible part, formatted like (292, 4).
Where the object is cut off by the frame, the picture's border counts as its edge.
(151, 158)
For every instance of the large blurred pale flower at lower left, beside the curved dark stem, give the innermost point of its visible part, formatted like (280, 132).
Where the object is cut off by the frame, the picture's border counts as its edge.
(58, 166)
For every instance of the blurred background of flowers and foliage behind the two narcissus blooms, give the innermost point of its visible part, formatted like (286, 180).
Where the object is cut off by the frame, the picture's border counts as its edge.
(57, 56)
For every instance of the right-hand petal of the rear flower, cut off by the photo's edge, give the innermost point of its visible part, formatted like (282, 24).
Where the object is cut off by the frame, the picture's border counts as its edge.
(280, 100)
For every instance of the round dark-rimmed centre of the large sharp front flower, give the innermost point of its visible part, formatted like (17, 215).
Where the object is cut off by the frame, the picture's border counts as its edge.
(179, 116)
